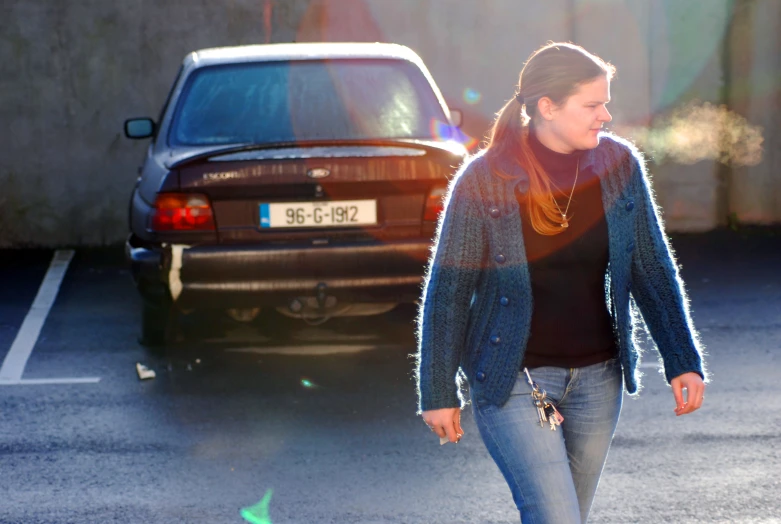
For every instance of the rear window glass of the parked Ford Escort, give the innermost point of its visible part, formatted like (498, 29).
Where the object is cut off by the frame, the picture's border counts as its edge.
(271, 102)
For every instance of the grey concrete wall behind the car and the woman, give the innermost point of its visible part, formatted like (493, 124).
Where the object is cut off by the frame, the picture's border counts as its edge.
(73, 71)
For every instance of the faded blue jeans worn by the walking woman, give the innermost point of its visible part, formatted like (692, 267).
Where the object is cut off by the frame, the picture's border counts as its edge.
(553, 475)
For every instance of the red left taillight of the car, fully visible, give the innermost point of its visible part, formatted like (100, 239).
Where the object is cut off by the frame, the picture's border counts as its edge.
(182, 212)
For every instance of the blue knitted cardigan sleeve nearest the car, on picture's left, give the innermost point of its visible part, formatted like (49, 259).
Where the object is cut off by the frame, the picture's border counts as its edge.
(451, 276)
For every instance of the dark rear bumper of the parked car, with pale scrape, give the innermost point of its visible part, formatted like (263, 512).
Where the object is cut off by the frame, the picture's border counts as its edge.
(224, 276)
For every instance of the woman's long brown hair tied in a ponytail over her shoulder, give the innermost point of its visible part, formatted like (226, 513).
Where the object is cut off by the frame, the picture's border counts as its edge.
(555, 71)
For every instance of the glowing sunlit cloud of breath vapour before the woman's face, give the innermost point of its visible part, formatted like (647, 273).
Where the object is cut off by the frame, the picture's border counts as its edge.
(701, 131)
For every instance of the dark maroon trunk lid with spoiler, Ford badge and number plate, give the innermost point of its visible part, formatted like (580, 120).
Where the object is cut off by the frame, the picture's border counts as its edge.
(388, 182)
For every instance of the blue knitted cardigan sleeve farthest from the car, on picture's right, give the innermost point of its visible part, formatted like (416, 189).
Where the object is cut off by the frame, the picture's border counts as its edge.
(658, 288)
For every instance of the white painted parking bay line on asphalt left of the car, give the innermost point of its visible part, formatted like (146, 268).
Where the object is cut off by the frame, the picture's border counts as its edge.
(15, 361)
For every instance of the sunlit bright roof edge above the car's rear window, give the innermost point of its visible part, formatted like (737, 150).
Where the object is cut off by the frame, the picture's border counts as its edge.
(299, 51)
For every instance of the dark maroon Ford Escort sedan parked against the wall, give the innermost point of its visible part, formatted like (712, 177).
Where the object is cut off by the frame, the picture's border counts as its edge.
(305, 178)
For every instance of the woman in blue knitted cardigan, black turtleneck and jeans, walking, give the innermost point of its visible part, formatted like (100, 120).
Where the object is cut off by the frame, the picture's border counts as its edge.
(549, 244)
